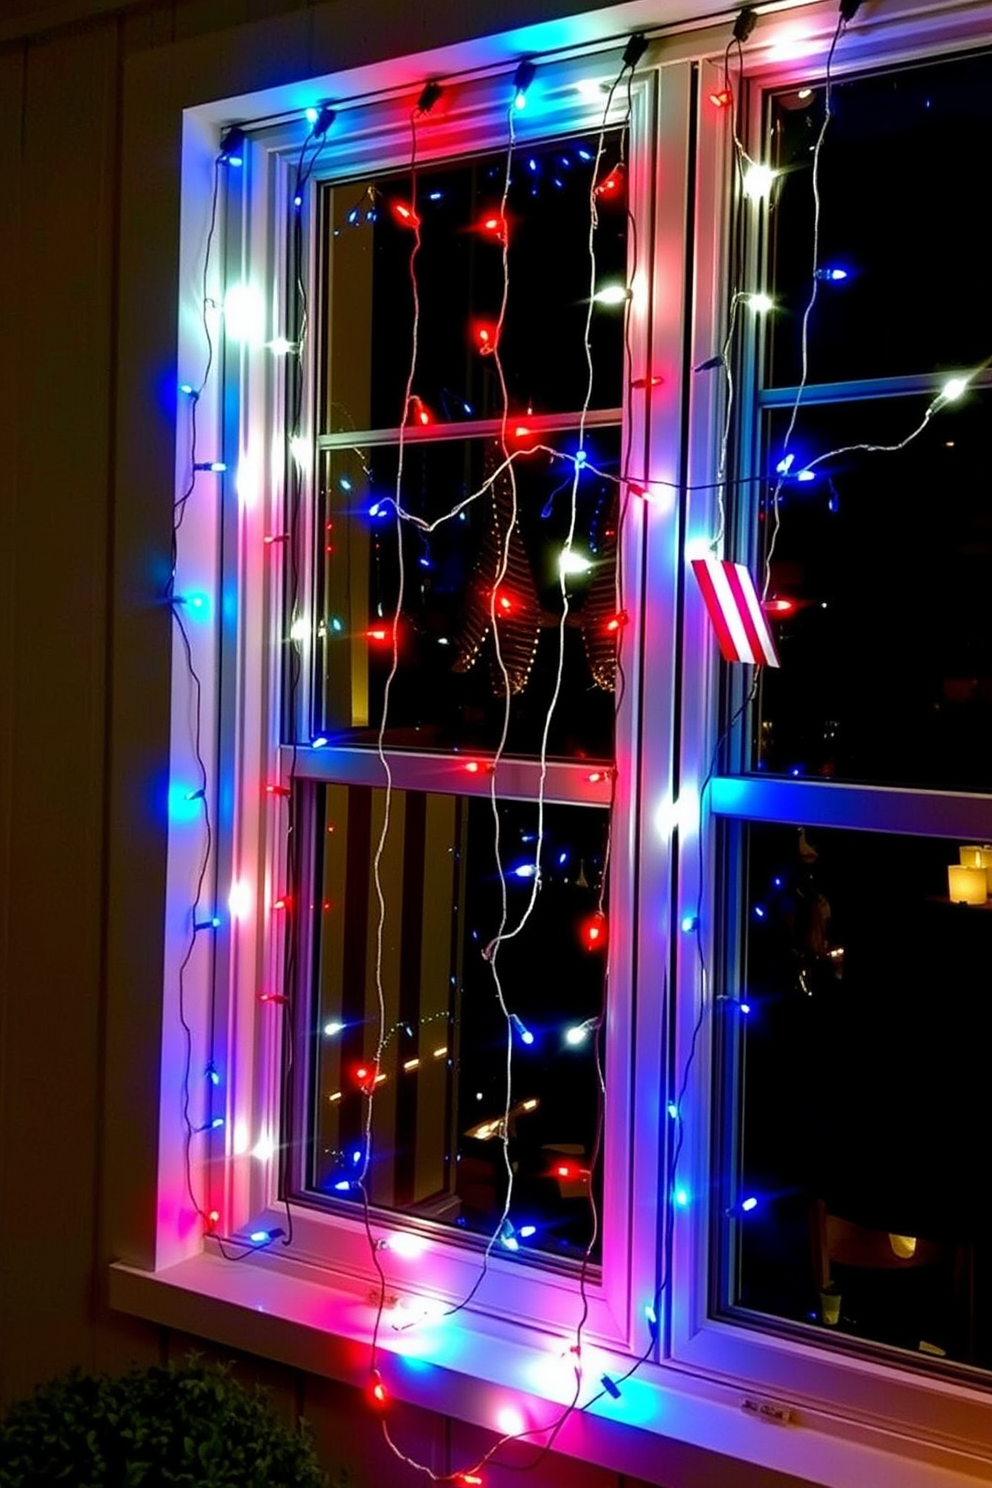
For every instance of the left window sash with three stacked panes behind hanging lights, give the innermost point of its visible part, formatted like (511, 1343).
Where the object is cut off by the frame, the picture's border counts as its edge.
(447, 843)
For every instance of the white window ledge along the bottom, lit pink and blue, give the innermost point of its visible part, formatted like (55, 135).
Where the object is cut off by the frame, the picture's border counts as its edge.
(477, 1370)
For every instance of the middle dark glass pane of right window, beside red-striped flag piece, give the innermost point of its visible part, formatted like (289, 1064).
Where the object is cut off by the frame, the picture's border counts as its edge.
(887, 655)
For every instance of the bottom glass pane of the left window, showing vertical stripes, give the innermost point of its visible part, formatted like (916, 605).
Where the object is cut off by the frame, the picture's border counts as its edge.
(441, 1091)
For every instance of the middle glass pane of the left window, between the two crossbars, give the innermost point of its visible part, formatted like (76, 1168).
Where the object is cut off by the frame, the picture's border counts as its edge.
(450, 691)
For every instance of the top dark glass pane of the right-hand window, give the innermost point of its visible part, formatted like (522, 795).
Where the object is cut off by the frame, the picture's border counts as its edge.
(901, 214)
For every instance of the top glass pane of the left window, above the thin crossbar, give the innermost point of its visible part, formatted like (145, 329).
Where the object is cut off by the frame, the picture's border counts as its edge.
(370, 301)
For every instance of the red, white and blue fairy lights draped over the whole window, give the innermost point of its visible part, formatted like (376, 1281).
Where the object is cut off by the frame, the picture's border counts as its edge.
(753, 181)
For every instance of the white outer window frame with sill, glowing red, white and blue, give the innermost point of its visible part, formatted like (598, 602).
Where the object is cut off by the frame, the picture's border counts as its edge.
(709, 1382)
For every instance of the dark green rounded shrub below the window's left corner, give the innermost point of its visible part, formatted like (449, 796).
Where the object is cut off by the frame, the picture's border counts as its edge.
(193, 1426)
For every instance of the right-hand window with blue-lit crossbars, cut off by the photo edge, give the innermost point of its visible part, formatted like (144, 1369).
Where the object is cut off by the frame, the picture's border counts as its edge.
(854, 1105)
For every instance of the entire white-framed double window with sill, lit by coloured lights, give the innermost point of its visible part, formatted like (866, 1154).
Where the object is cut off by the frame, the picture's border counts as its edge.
(712, 827)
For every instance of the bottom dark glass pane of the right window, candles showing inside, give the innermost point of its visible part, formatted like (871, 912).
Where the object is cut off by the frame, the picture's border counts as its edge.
(863, 1097)
